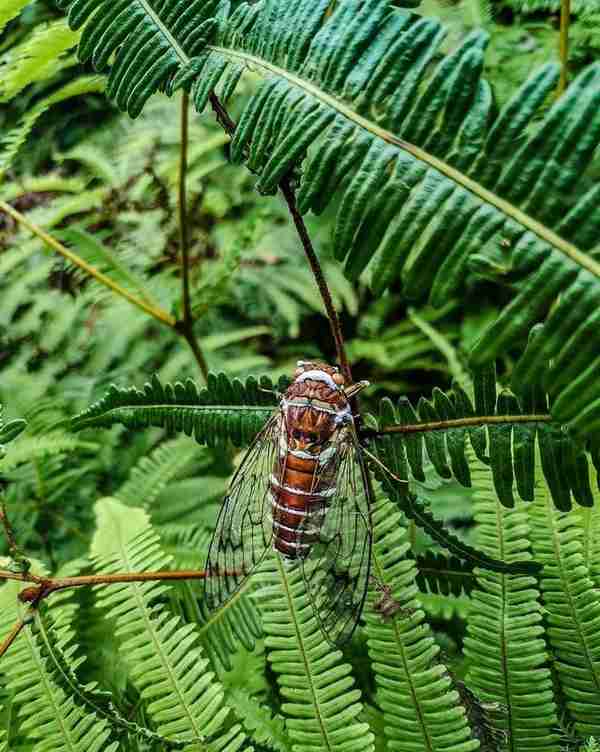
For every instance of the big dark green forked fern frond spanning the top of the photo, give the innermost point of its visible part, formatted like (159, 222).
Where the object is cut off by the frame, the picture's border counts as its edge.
(428, 179)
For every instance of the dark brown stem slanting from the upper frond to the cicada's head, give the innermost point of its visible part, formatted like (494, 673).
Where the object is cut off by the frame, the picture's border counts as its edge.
(229, 125)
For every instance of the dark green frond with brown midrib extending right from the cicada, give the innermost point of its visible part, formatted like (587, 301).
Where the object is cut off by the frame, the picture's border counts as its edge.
(507, 445)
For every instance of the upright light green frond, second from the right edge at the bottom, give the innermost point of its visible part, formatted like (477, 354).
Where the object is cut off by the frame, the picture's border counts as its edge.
(504, 641)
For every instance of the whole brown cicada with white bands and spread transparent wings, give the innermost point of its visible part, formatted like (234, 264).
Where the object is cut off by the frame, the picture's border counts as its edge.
(302, 489)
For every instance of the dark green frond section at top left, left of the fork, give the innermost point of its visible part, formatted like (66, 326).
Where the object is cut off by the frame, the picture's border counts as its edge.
(156, 45)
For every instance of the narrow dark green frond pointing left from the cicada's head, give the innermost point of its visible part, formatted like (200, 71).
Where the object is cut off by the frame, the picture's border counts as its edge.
(223, 410)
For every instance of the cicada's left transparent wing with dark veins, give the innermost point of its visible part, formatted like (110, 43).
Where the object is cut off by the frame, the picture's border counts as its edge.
(244, 532)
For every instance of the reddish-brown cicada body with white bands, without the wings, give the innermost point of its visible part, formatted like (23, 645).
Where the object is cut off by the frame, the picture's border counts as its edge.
(314, 412)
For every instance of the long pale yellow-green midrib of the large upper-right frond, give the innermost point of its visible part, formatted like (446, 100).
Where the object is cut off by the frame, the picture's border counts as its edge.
(505, 207)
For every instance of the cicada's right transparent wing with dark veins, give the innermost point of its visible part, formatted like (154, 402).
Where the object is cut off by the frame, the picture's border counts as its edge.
(337, 568)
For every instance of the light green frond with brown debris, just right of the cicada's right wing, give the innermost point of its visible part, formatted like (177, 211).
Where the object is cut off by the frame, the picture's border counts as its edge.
(422, 712)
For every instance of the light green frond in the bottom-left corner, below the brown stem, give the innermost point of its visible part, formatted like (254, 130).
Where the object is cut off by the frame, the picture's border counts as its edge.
(49, 717)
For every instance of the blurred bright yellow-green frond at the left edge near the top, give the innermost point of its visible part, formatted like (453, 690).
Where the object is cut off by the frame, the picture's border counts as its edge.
(40, 57)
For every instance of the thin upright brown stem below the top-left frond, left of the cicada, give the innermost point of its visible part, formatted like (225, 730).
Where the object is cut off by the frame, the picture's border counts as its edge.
(186, 327)
